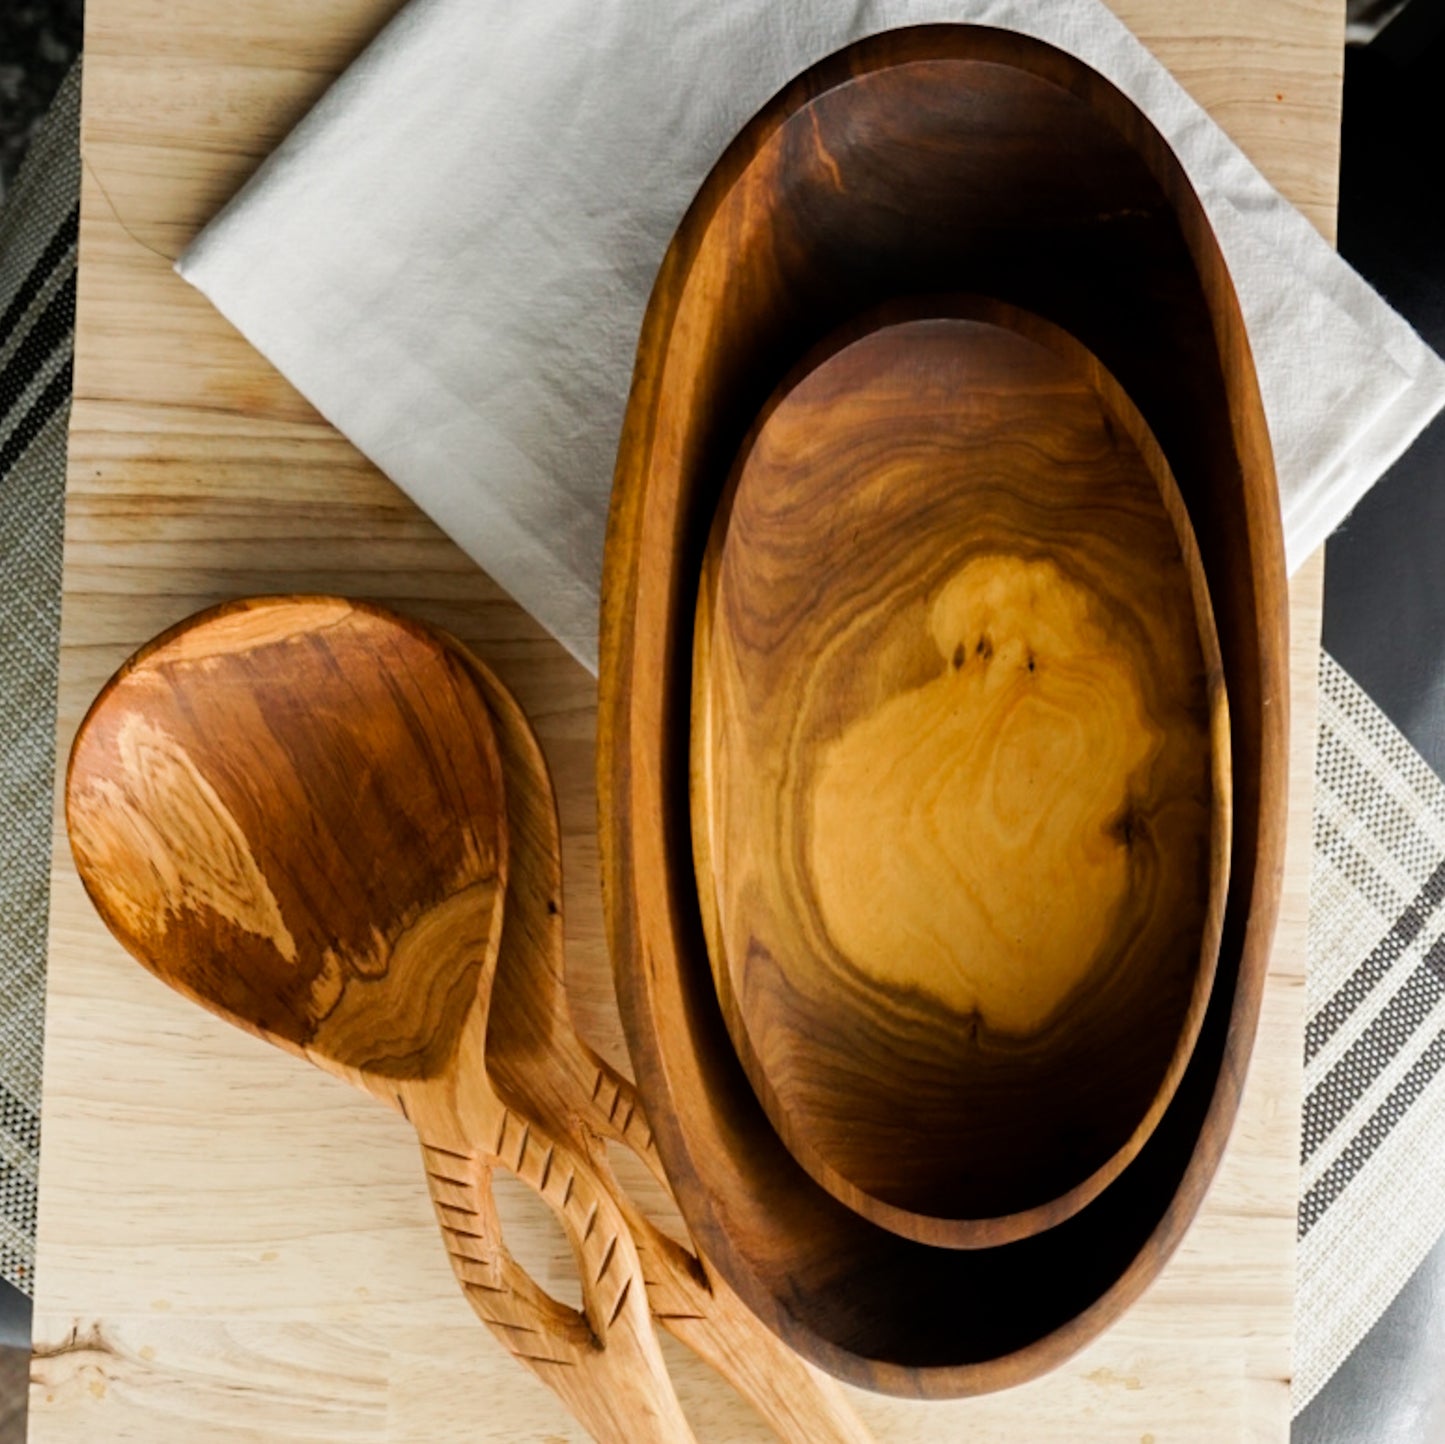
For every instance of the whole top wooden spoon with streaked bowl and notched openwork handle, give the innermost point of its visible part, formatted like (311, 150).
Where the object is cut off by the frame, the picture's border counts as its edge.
(293, 812)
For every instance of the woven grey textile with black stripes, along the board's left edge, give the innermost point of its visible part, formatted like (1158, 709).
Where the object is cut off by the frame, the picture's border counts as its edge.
(38, 236)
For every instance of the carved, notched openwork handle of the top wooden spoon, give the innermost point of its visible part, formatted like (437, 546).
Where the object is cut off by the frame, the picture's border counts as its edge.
(605, 1361)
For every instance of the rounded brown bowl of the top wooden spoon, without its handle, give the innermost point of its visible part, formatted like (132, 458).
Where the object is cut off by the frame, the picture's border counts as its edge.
(293, 813)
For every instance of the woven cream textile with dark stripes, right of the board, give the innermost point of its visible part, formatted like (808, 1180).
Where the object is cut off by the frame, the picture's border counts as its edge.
(1373, 1148)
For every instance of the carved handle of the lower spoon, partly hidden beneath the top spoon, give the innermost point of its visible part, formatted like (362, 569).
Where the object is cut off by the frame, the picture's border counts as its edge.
(699, 1309)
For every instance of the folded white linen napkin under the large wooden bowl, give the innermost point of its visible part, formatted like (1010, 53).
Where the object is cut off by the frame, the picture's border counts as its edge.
(452, 255)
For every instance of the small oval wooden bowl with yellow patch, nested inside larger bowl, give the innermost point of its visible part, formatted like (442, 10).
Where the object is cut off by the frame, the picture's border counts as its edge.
(960, 771)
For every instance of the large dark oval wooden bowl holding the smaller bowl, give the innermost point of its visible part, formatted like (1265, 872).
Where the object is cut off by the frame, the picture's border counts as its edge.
(924, 161)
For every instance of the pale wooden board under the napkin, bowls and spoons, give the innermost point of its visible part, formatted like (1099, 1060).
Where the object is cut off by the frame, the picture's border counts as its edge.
(233, 1247)
